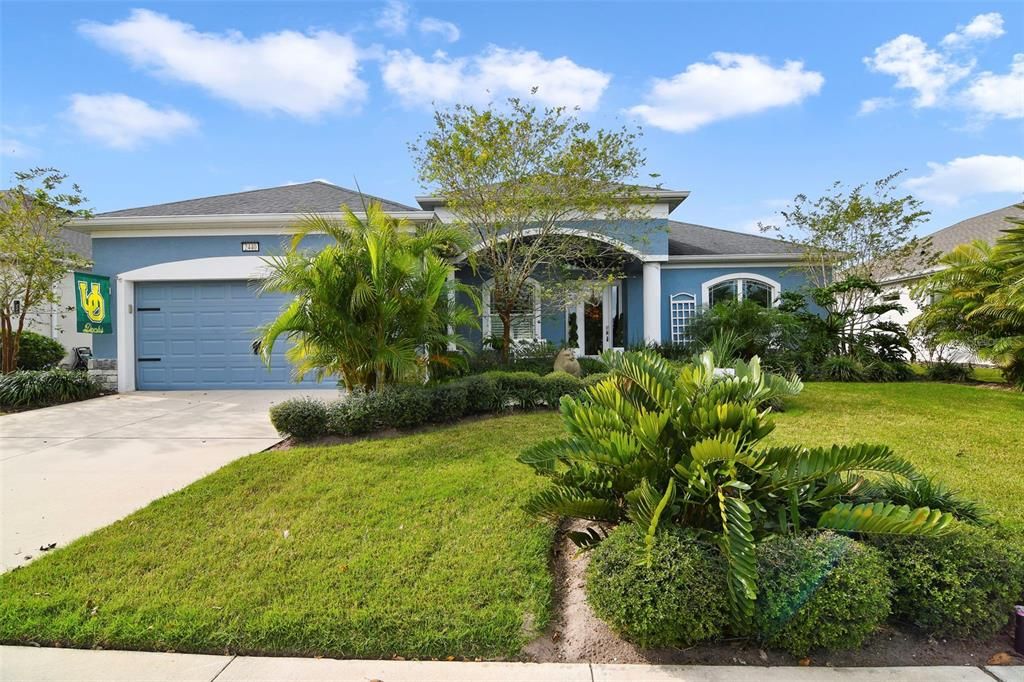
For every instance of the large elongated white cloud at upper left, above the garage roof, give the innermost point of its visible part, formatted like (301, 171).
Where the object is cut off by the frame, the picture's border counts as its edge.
(300, 74)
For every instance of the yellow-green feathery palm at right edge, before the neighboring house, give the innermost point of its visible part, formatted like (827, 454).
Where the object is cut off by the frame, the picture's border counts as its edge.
(977, 301)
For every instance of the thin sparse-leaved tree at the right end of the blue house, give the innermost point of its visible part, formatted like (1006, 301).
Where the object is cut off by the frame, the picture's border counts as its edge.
(850, 239)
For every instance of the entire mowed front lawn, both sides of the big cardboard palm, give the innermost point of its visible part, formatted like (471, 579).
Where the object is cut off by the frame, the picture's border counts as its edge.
(416, 546)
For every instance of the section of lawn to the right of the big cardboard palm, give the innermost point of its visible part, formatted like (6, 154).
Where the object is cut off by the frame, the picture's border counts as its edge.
(971, 438)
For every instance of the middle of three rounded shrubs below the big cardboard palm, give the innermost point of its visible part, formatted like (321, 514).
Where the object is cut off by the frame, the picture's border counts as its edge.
(821, 591)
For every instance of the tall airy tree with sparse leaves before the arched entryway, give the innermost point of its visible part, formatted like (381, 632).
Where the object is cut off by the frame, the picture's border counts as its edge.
(515, 180)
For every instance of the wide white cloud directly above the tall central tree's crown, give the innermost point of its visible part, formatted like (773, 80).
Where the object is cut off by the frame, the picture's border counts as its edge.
(496, 72)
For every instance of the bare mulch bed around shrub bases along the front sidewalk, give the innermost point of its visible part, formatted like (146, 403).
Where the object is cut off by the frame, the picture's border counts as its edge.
(576, 635)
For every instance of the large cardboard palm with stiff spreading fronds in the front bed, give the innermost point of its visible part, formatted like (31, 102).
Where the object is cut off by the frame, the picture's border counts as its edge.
(657, 446)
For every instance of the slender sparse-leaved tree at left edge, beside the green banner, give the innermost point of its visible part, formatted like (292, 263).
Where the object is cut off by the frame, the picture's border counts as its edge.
(34, 257)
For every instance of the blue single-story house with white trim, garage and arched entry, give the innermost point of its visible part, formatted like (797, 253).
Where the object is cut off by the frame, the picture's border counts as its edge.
(187, 310)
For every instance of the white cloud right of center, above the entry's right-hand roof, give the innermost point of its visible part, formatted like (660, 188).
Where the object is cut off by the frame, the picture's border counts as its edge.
(736, 86)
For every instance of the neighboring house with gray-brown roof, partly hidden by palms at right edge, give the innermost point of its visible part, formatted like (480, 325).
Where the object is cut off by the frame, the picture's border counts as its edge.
(987, 228)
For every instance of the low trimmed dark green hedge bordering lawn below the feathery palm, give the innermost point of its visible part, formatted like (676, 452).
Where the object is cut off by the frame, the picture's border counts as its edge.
(410, 407)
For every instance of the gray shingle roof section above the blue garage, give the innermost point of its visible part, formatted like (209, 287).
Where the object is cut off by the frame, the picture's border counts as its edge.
(316, 197)
